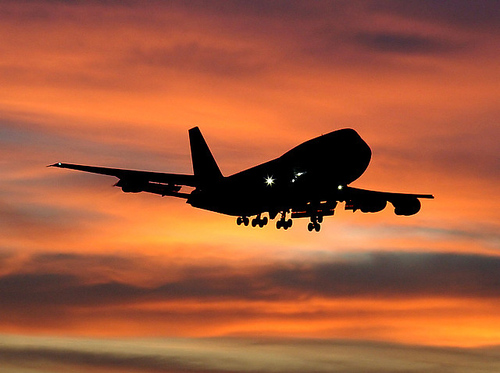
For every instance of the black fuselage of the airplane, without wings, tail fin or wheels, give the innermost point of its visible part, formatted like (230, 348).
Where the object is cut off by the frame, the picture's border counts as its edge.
(310, 172)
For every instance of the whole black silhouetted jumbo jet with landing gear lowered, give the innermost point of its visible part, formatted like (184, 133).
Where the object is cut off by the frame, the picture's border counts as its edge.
(307, 181)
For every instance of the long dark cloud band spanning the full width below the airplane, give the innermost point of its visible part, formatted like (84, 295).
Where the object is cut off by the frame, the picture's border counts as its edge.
(378, 275)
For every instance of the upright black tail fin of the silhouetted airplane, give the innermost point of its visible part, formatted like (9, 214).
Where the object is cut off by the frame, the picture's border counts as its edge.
(204, 165)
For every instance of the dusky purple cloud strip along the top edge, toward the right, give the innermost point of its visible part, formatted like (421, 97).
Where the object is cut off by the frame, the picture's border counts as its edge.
(462, 13)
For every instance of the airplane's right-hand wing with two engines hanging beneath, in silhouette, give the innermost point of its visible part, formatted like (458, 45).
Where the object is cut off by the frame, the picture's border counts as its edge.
(374, 201)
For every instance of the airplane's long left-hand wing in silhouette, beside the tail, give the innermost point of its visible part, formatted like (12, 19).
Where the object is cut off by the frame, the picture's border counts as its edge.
(132, 181)
